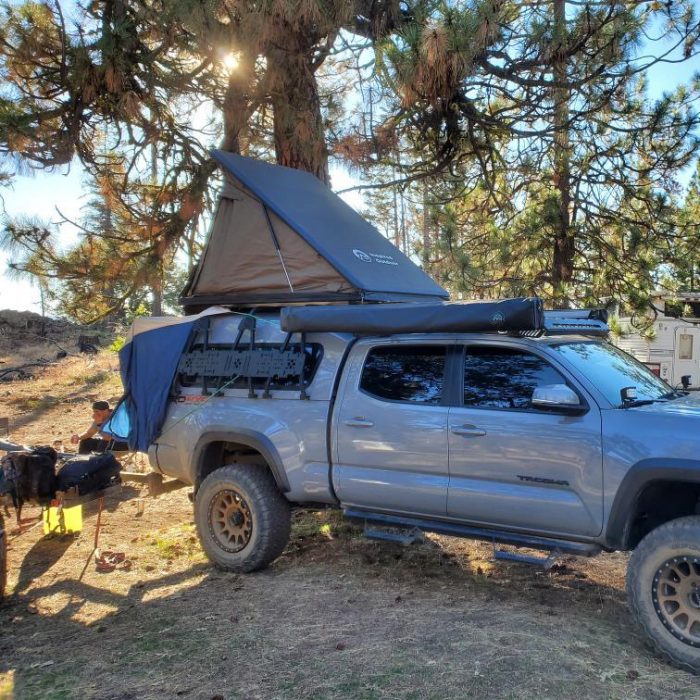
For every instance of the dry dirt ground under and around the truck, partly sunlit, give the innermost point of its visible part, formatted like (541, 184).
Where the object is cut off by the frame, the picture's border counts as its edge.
(337, 616)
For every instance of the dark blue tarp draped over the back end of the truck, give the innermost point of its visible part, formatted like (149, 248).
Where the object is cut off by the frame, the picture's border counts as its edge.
(148, 364)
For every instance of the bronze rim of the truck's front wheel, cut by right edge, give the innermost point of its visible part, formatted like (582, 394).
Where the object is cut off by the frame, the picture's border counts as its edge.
(676, 596)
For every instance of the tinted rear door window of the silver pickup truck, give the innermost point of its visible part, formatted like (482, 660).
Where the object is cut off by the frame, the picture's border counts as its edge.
(412, 373)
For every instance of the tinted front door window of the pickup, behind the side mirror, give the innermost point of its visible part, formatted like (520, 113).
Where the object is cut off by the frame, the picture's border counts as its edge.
(504, 378)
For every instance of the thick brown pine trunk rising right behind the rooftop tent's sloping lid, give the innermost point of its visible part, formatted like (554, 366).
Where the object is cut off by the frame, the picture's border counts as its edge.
(298, 124)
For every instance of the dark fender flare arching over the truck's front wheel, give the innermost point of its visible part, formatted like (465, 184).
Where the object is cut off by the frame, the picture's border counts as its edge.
(639, 476)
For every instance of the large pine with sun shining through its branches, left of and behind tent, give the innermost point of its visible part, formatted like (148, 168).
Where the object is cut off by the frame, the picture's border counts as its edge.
(137, 73)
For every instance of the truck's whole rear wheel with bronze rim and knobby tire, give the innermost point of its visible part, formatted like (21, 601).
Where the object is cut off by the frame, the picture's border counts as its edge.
(243, 520)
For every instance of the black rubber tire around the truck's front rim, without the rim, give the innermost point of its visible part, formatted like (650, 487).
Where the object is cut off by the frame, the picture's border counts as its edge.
(677, 540)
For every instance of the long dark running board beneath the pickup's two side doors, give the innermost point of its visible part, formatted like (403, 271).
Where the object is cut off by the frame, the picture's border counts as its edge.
(547, 544)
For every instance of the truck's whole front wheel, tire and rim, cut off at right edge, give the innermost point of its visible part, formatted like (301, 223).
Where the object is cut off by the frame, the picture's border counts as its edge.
(663, 584)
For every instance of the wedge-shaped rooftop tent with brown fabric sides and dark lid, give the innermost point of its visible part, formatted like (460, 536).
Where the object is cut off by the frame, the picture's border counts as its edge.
(281, 236)
